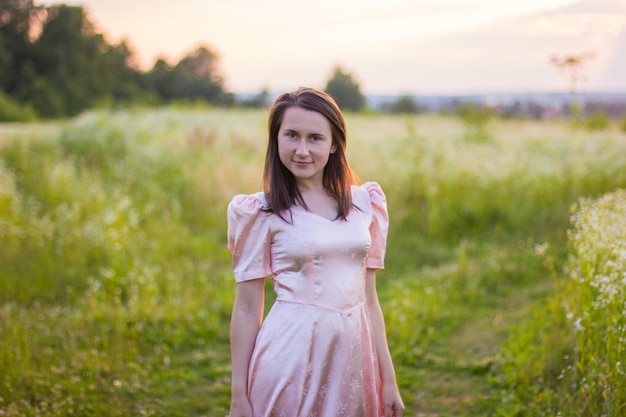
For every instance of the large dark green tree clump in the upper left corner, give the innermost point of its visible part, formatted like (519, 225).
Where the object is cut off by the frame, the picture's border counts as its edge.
(53, 59)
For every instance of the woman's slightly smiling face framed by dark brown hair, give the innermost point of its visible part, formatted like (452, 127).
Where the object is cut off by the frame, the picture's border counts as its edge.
(304, 144)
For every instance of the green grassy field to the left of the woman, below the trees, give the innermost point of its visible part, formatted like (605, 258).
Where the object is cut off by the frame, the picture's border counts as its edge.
(114, 262)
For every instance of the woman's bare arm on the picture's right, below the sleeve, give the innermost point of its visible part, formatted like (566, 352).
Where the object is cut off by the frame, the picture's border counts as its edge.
(390, 392)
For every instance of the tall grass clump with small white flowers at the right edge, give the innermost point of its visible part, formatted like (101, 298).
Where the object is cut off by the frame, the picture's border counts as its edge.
(577, 368)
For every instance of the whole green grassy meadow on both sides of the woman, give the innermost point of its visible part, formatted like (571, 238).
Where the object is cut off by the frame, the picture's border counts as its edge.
(503, 292)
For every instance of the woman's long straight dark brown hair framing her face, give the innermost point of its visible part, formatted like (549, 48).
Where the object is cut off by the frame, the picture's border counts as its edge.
(279, 184)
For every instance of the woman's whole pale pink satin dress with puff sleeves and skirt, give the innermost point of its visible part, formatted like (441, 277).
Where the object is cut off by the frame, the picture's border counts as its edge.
(314, 354)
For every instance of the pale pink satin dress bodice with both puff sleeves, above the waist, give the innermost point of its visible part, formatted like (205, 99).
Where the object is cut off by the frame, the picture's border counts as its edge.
(313, 260)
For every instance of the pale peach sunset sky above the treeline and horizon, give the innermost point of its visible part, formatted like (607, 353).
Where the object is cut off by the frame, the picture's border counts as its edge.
(389, 46)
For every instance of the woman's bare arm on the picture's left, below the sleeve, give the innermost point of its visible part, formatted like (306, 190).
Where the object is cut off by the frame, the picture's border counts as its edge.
(244, 326)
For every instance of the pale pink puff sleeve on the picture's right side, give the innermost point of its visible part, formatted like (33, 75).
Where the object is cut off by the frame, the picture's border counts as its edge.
(379, 225)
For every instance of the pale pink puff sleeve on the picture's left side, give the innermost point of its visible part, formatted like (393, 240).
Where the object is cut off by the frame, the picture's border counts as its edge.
(249, 239)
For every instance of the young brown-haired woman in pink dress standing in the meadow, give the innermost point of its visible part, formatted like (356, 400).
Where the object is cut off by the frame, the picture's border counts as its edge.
(322, 348)
